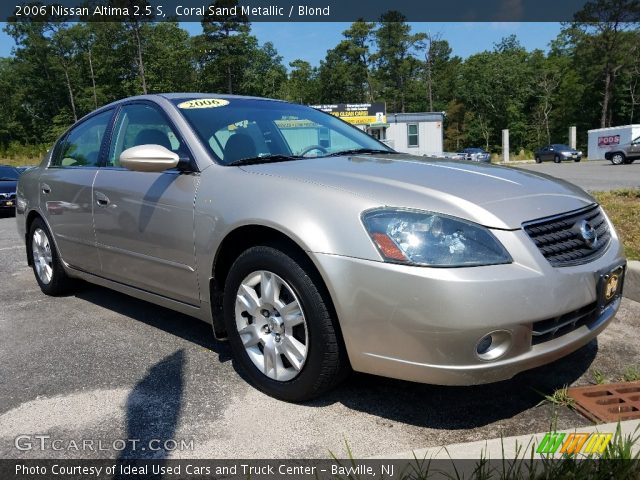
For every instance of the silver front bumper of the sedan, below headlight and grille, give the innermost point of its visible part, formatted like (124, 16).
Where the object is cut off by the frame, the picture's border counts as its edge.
(423, 324)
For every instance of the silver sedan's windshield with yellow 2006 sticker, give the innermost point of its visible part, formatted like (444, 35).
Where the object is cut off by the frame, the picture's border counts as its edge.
(236, 129)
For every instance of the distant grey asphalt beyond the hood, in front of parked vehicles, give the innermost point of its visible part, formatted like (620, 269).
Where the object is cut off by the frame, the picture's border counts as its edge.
(593, 176)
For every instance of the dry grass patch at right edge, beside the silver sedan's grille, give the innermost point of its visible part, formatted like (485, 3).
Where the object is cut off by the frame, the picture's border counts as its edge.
(623, 208)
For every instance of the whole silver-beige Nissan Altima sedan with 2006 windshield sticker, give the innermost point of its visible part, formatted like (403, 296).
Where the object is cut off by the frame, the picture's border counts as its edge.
(315, 249)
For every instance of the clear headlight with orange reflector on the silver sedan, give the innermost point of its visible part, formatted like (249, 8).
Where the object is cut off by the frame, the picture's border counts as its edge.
(430, 239)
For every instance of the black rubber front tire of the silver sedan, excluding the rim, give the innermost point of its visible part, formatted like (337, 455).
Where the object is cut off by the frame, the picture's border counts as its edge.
(326, 363)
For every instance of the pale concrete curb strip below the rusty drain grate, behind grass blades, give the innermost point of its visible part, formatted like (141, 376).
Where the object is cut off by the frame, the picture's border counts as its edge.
(510, 447)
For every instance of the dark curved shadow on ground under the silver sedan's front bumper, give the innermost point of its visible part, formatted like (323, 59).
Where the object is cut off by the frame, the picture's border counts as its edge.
(452, 408)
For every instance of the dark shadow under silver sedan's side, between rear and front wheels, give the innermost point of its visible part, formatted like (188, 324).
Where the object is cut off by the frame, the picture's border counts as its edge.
(169, 321)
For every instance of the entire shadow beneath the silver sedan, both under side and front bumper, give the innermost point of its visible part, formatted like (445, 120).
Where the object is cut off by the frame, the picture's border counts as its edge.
(431, 406)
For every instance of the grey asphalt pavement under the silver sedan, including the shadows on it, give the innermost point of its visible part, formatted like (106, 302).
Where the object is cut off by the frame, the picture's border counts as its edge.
(101, 366)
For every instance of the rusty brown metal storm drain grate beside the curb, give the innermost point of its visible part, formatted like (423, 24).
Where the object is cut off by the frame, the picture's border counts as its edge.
(608, 403)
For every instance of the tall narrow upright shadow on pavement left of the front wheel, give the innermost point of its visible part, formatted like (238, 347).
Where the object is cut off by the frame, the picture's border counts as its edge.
(153, 411)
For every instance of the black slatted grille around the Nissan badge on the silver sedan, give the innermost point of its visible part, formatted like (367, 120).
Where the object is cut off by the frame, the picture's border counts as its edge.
(560, 241)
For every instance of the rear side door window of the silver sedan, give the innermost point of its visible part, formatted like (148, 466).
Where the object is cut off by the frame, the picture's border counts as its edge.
(81, 147)
